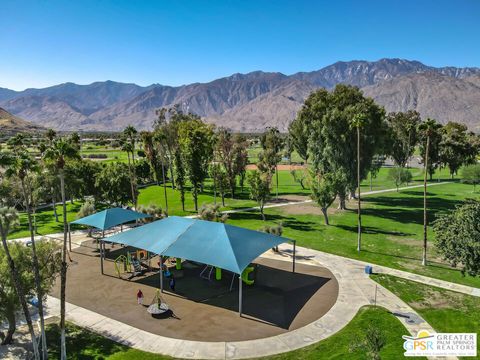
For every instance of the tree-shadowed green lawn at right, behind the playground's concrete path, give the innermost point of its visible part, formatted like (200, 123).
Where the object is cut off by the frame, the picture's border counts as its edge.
(392, 229)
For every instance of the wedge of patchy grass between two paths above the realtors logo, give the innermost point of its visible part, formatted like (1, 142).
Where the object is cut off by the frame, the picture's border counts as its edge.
(444, 310)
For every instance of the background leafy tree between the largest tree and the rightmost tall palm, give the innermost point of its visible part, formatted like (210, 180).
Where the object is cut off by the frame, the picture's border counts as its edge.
(403, 135)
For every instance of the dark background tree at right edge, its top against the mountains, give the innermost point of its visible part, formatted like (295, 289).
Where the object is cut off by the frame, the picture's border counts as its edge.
(456, 148)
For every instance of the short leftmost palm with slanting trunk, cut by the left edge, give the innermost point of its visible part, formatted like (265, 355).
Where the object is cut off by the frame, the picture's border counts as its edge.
(9, 294)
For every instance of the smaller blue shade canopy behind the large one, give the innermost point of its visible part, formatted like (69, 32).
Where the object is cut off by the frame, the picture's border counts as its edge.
(109, 218)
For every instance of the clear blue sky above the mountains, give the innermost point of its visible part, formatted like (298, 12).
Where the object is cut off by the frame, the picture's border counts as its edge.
(174, 42)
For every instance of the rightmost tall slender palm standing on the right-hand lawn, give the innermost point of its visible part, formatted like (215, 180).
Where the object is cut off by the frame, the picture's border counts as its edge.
(431, 136)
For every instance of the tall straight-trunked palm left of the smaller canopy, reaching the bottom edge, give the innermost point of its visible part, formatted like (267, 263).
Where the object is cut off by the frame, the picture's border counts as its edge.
(57, 154)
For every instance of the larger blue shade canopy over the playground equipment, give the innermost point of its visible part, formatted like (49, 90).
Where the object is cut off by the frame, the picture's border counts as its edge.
(225, 246)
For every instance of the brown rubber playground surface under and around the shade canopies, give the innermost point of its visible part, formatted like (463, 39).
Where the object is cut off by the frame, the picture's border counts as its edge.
(203, 310)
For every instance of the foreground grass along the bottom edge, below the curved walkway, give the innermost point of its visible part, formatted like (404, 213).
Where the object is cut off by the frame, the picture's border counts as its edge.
(83, 344)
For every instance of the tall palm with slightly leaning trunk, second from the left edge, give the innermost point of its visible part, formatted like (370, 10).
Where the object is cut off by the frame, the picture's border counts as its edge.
(21, 165)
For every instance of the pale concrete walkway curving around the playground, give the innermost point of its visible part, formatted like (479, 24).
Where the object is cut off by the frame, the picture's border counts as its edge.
(355, 290)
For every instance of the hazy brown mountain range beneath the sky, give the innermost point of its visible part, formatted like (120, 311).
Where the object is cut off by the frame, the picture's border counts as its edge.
(250, 102)
